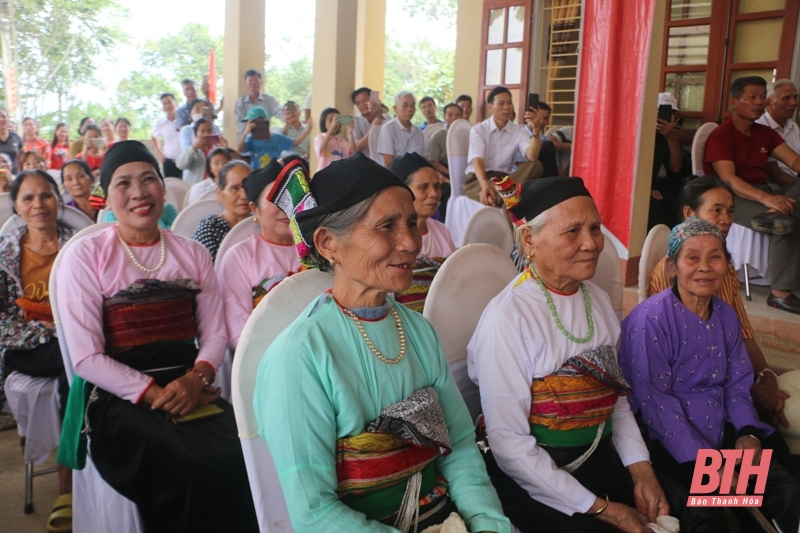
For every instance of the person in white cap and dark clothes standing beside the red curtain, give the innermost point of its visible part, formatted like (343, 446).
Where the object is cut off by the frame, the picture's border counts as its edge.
(671, 166)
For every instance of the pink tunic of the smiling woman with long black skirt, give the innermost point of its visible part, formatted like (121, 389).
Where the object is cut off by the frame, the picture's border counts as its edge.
(96, 267)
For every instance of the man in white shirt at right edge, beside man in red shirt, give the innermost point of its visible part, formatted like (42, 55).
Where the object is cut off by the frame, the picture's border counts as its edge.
(781, 107)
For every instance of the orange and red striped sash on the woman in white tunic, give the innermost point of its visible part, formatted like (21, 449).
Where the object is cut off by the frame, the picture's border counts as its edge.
(581, 394)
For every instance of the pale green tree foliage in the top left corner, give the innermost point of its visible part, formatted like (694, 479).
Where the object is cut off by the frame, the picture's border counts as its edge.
(58, 42)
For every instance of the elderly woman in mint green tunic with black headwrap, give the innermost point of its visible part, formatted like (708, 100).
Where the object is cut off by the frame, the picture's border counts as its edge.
(355, 399)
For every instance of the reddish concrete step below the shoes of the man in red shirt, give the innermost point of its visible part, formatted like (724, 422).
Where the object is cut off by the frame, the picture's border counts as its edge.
(776, 330)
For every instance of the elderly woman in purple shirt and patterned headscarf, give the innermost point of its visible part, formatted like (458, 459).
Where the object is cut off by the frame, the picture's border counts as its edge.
(683, 355)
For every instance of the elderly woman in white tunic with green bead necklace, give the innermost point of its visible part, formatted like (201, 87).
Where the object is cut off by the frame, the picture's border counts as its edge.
(562, 447)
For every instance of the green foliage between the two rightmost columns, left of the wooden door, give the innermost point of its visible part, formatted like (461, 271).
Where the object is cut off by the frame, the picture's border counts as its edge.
(421, 68)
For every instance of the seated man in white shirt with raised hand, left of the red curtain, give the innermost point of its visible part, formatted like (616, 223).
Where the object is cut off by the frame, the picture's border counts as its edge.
(497, 144)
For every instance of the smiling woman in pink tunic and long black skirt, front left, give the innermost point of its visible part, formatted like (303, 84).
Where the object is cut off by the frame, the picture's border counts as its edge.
(137, 301)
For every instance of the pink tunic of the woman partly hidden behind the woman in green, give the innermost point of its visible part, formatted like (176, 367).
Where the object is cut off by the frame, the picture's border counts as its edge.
(243, 267)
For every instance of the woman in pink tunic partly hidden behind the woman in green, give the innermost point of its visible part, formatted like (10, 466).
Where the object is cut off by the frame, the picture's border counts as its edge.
(251, 268)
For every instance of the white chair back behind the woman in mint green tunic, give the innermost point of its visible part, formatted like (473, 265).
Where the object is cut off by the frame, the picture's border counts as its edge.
(279, 308)
